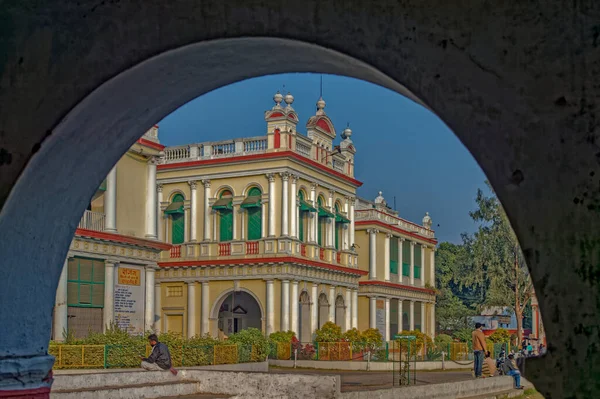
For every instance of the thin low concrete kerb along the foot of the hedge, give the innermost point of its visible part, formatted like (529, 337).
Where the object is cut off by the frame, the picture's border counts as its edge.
(362, 366)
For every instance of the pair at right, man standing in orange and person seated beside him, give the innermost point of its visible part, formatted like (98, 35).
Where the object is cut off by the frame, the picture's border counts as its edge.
(485, 365)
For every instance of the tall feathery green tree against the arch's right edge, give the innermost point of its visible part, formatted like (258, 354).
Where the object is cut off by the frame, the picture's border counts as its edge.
(496, 265)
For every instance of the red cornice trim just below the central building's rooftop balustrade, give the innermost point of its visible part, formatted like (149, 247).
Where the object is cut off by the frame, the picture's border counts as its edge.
(269, 155)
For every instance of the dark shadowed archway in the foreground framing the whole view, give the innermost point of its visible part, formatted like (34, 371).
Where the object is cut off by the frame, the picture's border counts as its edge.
(72, 105)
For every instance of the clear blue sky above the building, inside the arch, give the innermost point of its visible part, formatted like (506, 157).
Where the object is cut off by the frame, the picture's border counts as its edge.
(402, 149)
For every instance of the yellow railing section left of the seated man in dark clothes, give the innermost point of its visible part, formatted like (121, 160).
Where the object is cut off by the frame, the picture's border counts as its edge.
(78, 356)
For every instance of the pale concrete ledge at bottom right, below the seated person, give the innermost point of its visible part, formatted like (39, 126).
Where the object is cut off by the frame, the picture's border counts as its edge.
(448, 390)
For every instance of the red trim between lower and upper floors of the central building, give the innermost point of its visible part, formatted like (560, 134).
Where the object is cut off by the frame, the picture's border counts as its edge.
(243, 261)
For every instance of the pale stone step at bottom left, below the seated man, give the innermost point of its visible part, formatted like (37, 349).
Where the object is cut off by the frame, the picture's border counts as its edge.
(134, 391)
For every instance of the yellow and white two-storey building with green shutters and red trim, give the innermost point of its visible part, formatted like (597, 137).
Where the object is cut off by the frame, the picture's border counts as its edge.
(267, 232)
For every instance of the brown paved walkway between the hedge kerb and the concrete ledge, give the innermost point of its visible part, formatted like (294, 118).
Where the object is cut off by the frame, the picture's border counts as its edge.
(371, 380)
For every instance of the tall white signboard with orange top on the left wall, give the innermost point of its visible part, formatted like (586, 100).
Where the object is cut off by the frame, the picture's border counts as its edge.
(129, 298)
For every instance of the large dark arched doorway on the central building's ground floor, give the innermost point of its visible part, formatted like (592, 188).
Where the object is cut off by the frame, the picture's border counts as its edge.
(238, 311)
